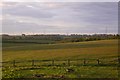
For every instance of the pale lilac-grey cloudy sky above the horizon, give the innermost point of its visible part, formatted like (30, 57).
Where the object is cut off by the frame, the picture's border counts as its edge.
(59, 17)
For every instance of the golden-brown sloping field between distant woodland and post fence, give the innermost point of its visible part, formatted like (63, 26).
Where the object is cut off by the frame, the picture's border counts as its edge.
(91, 49)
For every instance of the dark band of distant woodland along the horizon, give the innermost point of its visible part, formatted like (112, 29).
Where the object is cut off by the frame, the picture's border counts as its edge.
(55, 38)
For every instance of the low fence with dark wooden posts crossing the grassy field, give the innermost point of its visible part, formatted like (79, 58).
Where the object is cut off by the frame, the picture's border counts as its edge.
(69, 62)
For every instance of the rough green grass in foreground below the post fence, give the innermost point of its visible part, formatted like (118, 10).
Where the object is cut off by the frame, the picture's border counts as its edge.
(61, 72)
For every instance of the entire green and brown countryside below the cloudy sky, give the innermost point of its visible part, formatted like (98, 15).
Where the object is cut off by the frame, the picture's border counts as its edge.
(37, 56)
